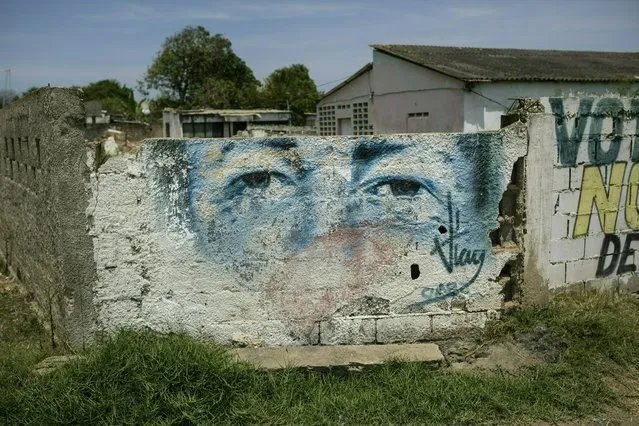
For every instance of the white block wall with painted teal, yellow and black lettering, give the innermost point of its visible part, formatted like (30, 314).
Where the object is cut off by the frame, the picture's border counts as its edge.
(583, 192)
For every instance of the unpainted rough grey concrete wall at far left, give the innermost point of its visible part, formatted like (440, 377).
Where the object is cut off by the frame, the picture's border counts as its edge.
(43, 222)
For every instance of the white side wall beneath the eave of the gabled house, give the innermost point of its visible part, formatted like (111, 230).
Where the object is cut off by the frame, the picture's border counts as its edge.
(484, 106)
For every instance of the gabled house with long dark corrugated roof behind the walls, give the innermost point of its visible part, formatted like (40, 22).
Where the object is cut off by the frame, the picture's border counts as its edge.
(415, 89)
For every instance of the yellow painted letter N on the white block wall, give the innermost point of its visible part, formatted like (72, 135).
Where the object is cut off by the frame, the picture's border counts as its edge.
(593, 190)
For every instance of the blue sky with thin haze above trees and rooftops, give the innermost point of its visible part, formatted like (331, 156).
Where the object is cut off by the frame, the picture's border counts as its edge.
(67, 42)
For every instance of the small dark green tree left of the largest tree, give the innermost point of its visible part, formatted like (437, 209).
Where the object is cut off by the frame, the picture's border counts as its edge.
(115, 97)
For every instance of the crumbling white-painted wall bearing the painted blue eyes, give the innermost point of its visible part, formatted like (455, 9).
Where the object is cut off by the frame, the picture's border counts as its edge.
(304, 240)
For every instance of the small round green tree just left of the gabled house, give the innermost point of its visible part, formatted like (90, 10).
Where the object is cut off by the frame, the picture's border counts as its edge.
(291, 88)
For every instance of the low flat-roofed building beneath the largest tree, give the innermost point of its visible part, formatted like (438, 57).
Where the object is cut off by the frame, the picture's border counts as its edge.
(218, 123)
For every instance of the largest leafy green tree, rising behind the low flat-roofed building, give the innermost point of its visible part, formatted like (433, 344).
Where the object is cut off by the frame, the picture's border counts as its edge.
(194, 67)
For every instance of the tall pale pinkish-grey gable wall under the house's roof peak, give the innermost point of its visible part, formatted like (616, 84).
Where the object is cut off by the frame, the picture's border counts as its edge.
(401, 88)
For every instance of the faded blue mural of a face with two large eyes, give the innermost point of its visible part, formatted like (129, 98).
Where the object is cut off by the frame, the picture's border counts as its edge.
(315, 224)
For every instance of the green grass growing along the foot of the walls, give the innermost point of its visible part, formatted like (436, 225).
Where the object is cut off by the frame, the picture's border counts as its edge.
(143, 378)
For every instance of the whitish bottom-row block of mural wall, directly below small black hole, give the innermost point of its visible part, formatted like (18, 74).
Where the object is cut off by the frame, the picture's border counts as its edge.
(405, 328)
